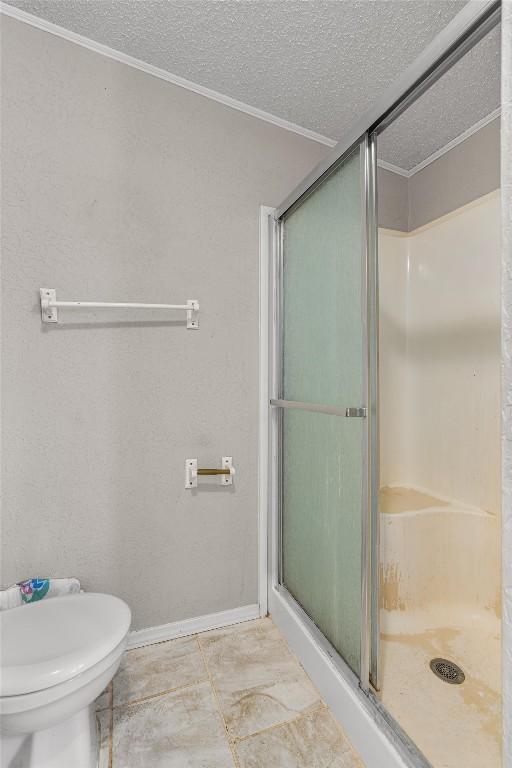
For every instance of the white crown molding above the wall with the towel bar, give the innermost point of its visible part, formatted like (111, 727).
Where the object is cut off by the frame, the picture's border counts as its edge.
(162, 74)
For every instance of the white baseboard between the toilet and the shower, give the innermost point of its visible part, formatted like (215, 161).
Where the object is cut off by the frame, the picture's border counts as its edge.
(141, 637)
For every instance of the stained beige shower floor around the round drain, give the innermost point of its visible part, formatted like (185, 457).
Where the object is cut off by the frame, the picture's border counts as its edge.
(455, 726)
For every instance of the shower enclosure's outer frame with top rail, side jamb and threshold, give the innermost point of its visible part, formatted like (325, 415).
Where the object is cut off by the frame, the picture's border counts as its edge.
(327, 668)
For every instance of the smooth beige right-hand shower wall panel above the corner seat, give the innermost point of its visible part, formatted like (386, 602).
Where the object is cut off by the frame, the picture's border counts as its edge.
(453, 353)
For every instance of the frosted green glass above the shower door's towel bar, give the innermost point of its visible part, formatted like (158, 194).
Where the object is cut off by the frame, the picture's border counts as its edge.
(322, 348)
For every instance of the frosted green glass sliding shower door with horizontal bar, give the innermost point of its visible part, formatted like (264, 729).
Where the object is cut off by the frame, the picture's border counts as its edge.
(322, 405)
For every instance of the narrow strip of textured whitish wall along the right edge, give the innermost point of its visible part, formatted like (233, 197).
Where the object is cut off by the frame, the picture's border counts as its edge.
(506, 287)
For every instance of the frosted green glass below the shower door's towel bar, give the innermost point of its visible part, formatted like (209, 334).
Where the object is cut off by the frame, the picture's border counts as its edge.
(321, 523)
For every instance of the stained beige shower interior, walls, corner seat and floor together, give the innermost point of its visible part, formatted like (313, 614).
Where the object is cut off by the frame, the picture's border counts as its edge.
(439, 503)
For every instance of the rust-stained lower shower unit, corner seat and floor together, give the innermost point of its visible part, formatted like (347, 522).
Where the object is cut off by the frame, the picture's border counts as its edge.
(455, 726)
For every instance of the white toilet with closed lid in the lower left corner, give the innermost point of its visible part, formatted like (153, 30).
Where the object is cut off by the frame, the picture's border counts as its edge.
(56, 657)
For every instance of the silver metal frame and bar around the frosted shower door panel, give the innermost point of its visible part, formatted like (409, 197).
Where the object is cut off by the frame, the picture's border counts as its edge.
(369, 455)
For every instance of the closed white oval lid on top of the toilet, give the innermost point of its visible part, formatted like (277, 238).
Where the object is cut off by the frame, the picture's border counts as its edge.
(46, 643)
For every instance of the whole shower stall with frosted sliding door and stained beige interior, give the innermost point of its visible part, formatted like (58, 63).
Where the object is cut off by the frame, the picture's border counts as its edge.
(383, 425)
